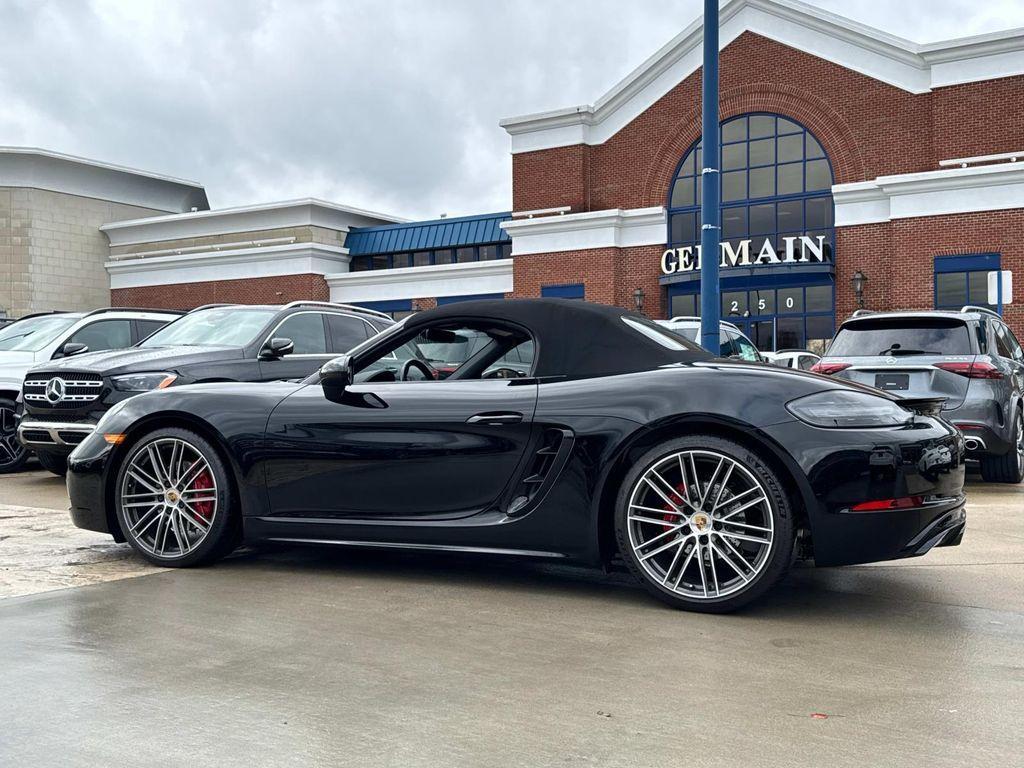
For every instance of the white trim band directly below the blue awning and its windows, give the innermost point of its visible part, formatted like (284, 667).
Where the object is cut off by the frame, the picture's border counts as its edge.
(422, 282)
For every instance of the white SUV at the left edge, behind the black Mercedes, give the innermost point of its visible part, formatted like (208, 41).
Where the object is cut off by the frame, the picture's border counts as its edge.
(39, 338)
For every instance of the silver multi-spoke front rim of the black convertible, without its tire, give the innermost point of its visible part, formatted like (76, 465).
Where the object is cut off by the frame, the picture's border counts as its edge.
(168, 498)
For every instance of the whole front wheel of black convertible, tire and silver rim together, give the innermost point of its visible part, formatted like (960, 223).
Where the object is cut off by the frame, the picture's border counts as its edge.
(175, 500)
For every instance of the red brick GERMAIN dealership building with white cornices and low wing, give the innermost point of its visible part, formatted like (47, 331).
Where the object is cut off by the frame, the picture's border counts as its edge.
(844, 150)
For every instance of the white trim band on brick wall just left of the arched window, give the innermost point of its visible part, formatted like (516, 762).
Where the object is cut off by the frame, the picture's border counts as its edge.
(577, 232)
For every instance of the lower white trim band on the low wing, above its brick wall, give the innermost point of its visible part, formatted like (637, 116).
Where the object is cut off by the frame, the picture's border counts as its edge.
(242, 264)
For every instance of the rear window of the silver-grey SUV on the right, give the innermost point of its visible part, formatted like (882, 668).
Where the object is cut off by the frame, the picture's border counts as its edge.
(902, 338)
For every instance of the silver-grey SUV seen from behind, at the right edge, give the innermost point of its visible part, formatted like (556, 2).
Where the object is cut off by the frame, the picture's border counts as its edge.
(970, 358)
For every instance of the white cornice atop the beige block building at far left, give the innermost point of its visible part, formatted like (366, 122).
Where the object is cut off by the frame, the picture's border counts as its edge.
(53, 172)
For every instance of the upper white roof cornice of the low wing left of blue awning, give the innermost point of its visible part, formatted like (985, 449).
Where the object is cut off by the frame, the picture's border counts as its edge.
(290, 214)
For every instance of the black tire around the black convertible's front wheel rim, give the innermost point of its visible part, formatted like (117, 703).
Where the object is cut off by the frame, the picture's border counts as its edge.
(224, 534)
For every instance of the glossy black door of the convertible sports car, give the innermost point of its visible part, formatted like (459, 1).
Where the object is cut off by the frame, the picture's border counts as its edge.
(415, 450)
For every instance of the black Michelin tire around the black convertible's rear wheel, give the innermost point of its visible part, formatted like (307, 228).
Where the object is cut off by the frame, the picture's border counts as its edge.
(780, 553)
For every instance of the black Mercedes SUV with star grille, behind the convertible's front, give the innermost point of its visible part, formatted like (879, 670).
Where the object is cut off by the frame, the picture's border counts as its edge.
(65, 399)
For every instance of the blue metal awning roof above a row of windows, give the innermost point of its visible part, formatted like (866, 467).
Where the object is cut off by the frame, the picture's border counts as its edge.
(421, 236)
